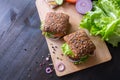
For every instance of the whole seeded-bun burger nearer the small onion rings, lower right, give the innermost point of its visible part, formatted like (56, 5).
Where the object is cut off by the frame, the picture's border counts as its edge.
(78, 46)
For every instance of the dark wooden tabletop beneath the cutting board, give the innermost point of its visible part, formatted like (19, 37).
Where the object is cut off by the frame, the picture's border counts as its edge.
(23, 48)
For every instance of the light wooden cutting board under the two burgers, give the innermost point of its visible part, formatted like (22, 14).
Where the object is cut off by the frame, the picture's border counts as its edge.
(102, 53)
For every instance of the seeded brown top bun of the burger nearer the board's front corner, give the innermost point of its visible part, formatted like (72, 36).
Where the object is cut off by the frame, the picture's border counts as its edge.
(79, 43)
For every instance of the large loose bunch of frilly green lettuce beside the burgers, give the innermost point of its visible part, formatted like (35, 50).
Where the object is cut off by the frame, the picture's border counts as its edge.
(104, 20)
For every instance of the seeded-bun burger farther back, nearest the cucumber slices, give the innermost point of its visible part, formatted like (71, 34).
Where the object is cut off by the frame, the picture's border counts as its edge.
(55, 25)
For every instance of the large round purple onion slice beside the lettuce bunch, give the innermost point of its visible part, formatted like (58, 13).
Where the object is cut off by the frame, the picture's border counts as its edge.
(83, 6)
